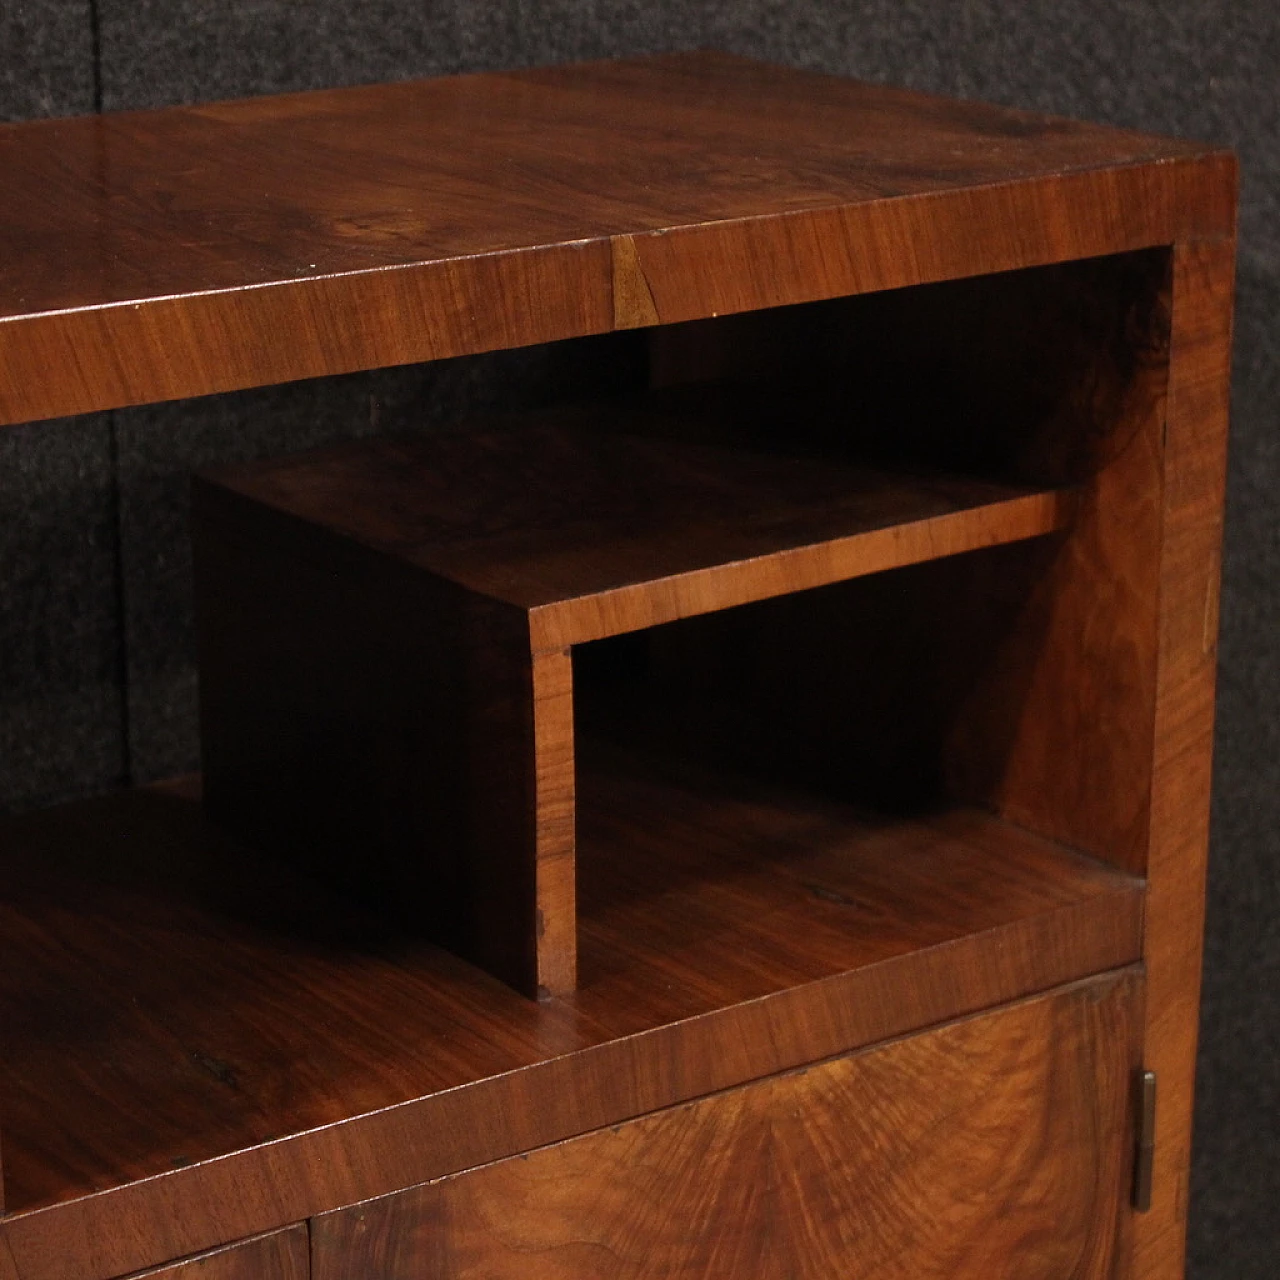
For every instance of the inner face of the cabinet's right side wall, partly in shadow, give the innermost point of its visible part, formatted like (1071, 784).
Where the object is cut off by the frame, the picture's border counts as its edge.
(1023, 678)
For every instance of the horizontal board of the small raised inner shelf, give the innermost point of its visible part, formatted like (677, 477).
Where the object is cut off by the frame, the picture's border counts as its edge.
(598, 519)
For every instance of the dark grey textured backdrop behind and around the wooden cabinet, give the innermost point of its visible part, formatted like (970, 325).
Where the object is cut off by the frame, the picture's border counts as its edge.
(97, 680)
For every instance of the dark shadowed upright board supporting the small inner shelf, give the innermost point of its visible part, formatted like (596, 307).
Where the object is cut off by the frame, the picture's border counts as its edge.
(377, 725)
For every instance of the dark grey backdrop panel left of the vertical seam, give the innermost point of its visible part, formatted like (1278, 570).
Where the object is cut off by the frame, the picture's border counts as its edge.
(61, 730)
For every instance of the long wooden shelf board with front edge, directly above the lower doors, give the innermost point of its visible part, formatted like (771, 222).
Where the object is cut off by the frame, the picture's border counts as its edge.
(200, 1046)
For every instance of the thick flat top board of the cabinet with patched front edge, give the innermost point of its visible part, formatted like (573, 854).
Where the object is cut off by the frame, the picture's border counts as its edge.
(156, 255)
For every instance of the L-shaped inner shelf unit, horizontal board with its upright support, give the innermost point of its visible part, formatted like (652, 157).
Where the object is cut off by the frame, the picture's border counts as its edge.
(387, 634)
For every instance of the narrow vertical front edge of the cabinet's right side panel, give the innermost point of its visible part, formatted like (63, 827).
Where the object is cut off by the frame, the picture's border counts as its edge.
(1190, 565)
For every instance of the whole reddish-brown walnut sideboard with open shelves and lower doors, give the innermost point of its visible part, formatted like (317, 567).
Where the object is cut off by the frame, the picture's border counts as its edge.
(752, 826)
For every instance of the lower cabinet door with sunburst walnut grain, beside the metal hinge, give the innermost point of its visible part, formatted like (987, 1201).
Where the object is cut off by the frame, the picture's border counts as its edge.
(996, 1146)
